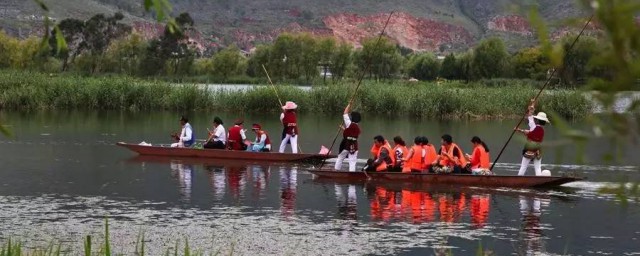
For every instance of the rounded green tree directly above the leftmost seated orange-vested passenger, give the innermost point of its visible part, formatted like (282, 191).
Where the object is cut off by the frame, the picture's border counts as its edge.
(383, 57)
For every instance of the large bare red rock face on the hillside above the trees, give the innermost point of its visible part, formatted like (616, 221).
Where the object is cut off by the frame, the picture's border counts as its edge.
(408, 31)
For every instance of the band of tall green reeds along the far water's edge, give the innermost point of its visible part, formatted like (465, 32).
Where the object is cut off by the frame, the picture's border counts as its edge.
(24, 90)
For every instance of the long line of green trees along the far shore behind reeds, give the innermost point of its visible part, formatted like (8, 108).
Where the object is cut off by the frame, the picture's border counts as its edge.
(104, 44)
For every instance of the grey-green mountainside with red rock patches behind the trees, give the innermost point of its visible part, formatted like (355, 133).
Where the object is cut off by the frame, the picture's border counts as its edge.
(430, 25)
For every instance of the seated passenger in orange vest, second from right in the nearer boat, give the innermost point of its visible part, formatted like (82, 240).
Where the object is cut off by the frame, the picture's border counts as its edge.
(450, 157)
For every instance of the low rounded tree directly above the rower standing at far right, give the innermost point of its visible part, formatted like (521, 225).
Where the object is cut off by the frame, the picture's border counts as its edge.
(530, 63)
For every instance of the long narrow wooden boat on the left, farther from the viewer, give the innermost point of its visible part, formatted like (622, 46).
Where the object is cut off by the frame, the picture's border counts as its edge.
(222, 154)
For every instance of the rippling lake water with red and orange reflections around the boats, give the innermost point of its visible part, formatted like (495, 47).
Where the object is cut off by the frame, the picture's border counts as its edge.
(62, 175)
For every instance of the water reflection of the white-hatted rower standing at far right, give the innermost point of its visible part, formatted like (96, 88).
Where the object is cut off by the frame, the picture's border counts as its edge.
(531, 236)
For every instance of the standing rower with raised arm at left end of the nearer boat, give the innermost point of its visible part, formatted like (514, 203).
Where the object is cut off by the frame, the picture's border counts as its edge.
(349, 144)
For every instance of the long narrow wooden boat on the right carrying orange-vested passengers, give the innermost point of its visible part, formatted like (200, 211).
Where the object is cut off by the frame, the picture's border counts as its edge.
(449, 179)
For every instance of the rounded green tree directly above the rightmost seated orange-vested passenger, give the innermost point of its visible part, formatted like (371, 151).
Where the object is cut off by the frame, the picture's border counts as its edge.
(489, 58)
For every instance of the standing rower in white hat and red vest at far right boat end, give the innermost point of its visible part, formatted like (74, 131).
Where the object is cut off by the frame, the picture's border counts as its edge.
(535, 136)
